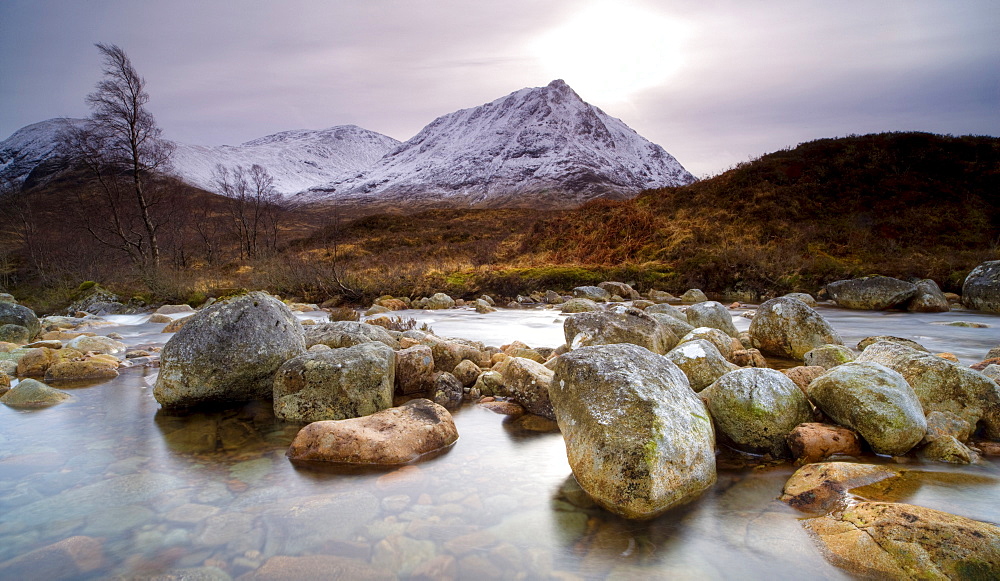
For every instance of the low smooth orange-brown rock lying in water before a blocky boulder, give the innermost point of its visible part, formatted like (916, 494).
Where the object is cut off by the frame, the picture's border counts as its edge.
(398, 435)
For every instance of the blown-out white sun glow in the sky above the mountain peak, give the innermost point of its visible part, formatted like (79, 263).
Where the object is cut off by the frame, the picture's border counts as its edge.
(611, 51)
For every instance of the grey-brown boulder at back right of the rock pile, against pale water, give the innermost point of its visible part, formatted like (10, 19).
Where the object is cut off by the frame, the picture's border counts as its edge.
(789, 328)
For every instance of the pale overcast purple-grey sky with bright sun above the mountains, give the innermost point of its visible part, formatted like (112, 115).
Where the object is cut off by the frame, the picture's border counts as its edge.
(714, 82)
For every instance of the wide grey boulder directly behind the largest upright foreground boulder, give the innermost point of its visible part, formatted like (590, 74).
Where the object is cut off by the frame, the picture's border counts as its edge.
(618, 325)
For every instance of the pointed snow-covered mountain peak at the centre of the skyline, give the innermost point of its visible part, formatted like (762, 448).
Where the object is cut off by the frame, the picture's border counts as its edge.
(537, 146)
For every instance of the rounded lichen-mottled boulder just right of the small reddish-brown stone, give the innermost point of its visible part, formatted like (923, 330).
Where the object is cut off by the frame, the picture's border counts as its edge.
(874, 401)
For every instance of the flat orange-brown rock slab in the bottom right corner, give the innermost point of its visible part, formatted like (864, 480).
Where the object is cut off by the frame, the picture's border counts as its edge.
(883, 540)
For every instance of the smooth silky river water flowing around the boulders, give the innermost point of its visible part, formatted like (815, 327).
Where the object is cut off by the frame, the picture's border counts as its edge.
(213, 488)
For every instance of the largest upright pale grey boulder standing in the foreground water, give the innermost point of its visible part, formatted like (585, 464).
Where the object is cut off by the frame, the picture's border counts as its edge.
(638, 439)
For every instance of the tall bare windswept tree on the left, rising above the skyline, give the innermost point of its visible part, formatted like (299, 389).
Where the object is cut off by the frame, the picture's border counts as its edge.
(120, 148)
